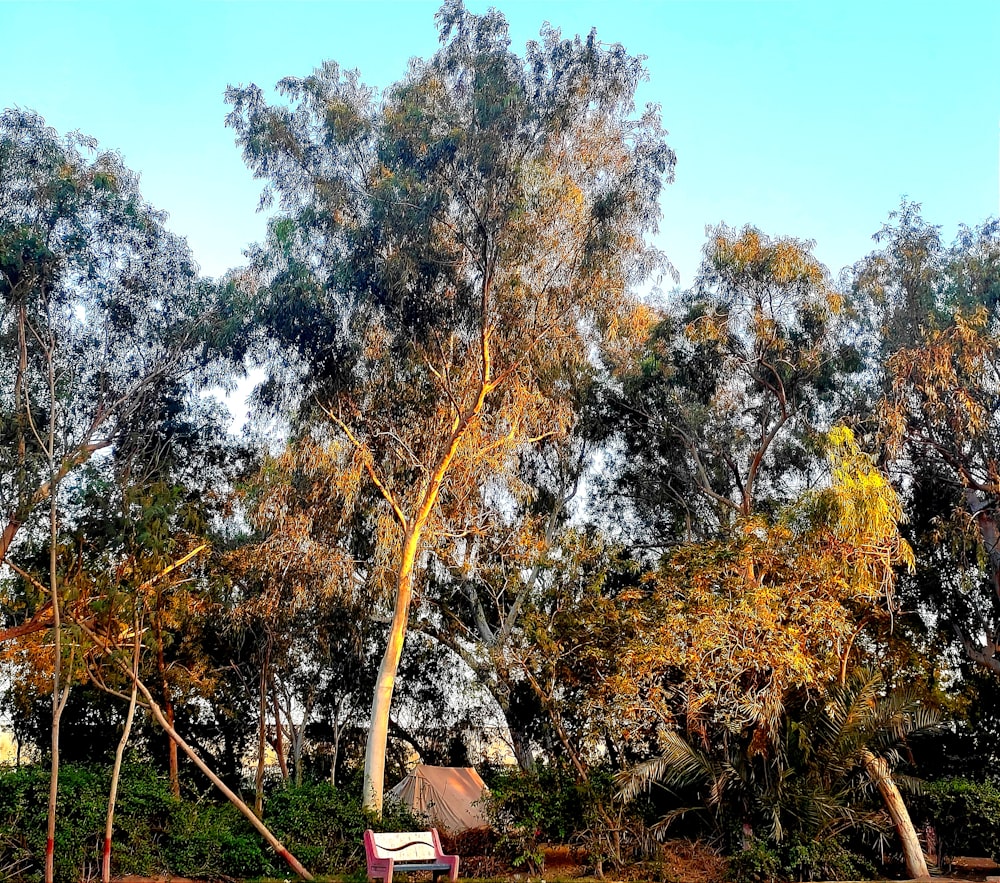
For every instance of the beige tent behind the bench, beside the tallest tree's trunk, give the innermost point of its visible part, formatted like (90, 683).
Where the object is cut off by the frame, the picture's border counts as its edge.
(446, 795)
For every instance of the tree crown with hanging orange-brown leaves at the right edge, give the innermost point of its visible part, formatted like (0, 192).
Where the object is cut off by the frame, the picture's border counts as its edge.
(933, 314)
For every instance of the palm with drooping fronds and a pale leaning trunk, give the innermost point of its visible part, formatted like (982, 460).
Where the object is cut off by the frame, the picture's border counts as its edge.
(815, 779)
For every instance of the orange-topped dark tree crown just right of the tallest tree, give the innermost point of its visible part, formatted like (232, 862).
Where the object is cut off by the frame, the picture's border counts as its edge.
(718, 418)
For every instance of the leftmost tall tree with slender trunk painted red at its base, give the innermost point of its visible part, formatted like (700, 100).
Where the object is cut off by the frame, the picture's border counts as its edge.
(99, 310)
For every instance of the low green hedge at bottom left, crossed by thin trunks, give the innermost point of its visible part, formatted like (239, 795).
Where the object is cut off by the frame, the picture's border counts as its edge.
(156, 834)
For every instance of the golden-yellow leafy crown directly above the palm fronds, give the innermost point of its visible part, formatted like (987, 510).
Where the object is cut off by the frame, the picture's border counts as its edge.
(731, 627)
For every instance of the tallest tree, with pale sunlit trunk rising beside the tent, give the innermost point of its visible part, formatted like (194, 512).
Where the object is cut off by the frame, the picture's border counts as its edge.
(440, 253)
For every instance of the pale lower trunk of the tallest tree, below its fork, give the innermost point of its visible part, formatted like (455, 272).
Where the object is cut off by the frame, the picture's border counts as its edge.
(378, 728)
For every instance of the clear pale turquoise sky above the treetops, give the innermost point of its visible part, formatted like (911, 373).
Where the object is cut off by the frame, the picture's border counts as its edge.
(810, 118)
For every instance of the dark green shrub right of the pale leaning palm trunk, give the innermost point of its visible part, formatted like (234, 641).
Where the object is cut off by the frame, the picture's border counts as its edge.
(964, 814)
